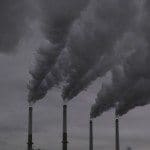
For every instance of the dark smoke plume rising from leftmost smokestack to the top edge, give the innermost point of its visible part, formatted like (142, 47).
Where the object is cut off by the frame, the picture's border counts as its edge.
(57, 17)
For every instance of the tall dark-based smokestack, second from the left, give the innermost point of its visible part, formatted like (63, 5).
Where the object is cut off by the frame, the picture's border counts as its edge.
(64, 141)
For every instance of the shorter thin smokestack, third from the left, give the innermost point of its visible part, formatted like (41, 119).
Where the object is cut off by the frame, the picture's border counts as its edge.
(91, 135)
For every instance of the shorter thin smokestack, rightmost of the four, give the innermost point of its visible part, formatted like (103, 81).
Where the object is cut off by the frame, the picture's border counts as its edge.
(117, 130)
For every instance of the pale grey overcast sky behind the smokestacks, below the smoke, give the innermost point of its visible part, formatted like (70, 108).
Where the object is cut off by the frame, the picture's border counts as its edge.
(47, 117)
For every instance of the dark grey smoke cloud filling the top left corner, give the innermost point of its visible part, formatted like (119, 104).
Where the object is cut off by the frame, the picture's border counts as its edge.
(14, 15)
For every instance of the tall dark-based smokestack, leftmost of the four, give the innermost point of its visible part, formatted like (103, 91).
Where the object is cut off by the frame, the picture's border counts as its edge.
(30, 127)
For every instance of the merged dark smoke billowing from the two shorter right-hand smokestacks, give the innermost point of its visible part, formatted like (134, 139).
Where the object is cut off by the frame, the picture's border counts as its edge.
(130, 86)
